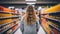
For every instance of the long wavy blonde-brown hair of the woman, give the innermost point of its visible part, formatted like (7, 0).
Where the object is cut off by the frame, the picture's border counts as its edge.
(30, 17)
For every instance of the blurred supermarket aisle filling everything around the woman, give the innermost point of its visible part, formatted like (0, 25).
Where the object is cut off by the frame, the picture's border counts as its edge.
(12, 11)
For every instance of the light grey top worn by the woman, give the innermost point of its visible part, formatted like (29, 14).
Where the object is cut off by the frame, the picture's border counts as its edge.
(29, 29)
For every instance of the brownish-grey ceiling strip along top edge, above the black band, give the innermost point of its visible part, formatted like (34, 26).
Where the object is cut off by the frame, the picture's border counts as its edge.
(24, 2)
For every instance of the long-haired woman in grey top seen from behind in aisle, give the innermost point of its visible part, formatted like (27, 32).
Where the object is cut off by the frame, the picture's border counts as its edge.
(29, 24)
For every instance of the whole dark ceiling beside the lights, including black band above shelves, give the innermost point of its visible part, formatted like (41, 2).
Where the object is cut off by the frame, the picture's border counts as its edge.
(22, 3)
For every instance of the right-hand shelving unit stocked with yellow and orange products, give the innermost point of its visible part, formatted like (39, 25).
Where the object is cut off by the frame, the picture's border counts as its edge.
(53, 19)
